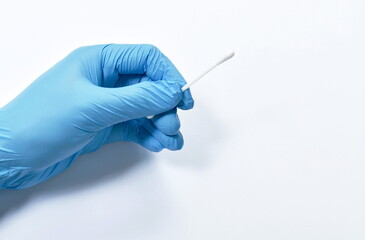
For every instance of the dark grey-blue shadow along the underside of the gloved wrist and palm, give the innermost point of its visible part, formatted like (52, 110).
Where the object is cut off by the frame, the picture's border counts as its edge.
(110, 161)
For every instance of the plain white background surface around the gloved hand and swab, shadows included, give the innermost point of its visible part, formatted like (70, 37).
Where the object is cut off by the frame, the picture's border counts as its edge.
(275, 147)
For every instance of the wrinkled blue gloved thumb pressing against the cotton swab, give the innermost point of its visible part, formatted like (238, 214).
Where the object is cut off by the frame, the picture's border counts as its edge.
(115, 105)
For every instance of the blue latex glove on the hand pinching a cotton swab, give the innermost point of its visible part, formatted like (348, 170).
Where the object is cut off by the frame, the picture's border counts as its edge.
(96, 95)
